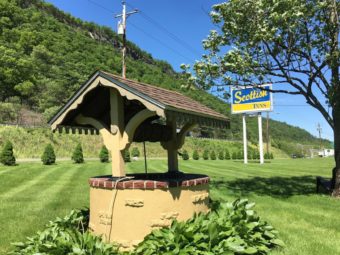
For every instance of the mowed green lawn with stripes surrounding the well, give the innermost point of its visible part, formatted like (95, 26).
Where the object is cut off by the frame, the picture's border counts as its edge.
(284, 192)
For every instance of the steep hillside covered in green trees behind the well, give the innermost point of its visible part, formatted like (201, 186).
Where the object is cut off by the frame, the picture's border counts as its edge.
(46, 54)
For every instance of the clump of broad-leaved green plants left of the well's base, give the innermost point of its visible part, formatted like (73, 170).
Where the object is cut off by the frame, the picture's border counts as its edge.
(68, 235)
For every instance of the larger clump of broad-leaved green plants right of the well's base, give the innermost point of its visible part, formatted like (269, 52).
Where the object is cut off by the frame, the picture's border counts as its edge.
(234, 228)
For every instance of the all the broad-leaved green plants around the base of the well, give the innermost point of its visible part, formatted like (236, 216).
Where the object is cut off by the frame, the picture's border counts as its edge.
(229, 228)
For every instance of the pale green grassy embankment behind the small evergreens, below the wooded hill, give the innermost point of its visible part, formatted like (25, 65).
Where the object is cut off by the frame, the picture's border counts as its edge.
(30, 143)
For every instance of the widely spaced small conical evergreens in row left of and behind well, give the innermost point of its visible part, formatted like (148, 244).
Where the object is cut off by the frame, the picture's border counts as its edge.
(48, 157)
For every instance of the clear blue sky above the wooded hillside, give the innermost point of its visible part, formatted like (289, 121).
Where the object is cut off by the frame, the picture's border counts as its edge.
(173, 30)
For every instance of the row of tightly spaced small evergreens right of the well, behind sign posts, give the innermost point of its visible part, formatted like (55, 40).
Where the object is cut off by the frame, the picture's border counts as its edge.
(226, 155)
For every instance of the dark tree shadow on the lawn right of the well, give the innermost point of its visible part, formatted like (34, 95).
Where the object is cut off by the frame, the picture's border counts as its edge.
(282, 187)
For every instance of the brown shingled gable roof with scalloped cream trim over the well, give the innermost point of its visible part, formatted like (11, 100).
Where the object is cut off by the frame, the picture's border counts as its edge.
(91, 99)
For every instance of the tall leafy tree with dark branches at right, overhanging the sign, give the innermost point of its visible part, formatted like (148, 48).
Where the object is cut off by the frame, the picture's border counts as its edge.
(283, 42)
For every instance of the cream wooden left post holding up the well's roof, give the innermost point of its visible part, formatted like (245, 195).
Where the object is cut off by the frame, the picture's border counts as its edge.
(116, 129)
